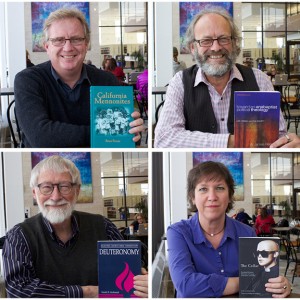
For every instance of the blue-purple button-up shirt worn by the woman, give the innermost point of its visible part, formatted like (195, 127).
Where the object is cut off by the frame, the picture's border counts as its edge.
(196, 268)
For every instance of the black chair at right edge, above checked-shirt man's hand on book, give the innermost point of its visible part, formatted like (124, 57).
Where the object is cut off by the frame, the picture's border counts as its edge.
(290, 104)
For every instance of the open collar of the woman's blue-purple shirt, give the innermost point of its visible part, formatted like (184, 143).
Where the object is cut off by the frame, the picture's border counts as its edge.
(199, 237)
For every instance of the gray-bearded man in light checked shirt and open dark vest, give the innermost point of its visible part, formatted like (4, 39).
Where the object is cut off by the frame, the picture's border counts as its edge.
(199, 109)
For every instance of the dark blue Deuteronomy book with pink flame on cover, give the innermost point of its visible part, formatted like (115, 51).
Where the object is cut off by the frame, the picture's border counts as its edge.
(118, 263)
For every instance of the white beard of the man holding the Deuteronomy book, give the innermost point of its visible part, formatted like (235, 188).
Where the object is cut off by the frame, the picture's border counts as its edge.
(58, 214)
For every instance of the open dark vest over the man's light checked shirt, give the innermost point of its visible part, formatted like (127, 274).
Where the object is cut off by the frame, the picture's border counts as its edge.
(198, 110)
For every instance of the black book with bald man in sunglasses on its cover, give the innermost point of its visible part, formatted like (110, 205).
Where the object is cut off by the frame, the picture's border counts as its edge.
(258, 261)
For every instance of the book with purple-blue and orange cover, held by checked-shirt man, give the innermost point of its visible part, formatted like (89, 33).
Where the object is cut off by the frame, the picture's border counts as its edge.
(256, 119)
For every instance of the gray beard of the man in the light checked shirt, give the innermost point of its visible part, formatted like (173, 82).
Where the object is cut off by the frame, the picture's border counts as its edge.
(215, 69)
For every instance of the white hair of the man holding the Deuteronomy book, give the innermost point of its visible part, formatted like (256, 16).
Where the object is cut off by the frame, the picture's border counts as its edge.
(57, 164)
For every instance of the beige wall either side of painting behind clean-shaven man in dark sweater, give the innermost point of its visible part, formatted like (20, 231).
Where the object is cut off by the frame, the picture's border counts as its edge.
(93, 54)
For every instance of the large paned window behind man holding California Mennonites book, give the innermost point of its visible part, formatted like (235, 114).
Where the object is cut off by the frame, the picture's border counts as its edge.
(123, 31)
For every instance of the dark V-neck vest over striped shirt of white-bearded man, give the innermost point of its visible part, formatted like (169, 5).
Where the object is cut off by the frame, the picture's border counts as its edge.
(73, 265)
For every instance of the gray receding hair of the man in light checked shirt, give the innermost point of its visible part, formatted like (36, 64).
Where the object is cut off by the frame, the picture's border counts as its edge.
(235, 33)
